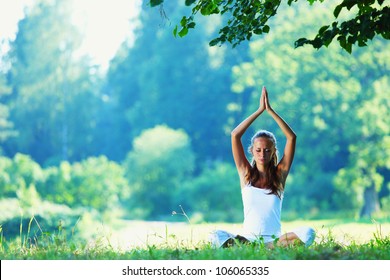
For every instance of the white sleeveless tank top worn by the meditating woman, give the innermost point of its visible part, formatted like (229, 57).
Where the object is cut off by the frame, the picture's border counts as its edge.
(262, 213)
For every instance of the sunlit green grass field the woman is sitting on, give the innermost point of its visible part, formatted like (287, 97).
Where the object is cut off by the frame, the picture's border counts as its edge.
(139, 240)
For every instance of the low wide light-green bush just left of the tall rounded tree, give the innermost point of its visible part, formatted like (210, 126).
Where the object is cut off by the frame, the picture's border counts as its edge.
(94, 183)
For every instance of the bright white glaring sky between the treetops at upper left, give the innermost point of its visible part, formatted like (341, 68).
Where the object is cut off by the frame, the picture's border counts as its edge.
(105, 24)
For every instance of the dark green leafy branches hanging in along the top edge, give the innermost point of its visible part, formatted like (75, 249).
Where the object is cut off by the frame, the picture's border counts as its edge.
(246, 18)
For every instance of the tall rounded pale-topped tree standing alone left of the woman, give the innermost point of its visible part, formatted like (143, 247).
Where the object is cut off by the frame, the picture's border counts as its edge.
(161, 160)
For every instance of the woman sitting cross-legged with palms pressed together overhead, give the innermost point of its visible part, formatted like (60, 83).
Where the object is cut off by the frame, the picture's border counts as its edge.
(262, 184)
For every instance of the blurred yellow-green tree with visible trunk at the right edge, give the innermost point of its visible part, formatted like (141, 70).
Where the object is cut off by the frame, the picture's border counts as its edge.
(368, 160)
